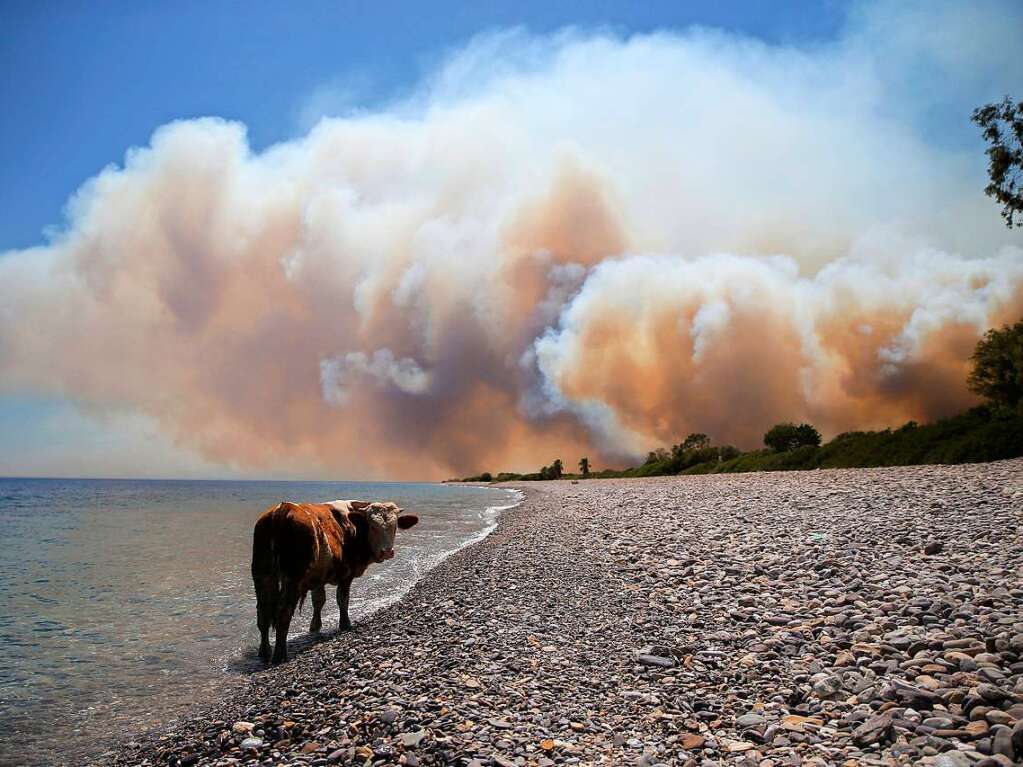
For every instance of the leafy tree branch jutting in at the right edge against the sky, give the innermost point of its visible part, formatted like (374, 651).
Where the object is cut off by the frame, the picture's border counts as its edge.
(1002, 127)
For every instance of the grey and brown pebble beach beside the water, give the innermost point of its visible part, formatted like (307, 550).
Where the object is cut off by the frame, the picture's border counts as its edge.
(867, 617)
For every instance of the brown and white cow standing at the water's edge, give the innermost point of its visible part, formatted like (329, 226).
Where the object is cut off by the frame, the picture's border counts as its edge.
(301, 548)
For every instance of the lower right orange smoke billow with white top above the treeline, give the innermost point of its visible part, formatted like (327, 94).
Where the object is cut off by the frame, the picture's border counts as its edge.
(679, 324)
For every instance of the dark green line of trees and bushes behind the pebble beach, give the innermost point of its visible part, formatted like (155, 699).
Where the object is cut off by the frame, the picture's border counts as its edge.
(992, 432)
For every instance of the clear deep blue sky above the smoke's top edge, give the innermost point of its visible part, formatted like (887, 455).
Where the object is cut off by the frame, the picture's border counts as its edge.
(83, 82)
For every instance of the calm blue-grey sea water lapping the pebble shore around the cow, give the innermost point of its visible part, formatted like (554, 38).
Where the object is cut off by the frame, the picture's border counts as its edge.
(122, 602)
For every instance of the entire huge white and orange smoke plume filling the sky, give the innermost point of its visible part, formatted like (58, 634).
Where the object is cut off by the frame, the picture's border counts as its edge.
(593, 247)
